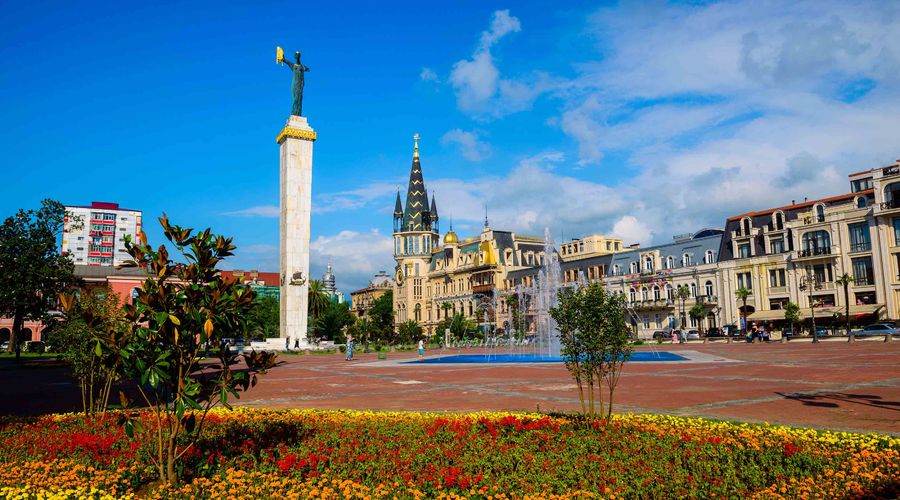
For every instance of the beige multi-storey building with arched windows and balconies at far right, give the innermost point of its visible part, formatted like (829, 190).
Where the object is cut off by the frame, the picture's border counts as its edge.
(798, 252)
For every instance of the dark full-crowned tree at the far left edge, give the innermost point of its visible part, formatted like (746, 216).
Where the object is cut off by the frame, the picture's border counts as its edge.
(32, 270)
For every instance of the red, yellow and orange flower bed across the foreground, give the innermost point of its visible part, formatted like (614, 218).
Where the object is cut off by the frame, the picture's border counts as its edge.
(336, 454)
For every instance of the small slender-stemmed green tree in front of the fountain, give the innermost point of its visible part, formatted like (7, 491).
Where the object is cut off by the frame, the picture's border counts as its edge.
(594, 340)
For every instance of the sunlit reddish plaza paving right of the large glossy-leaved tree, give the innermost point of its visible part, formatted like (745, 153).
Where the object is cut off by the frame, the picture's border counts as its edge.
(833, 385)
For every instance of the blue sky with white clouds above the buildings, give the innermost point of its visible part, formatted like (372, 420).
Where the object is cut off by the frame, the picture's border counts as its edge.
(638, 119)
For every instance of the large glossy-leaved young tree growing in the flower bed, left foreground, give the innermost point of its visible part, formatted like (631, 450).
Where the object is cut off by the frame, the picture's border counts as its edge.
(180, 307)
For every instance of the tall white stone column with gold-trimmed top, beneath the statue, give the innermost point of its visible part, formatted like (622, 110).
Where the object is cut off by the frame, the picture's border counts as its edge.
(296, 141)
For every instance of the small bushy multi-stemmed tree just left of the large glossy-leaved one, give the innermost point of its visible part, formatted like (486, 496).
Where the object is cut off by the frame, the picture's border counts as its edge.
(89, 339)
